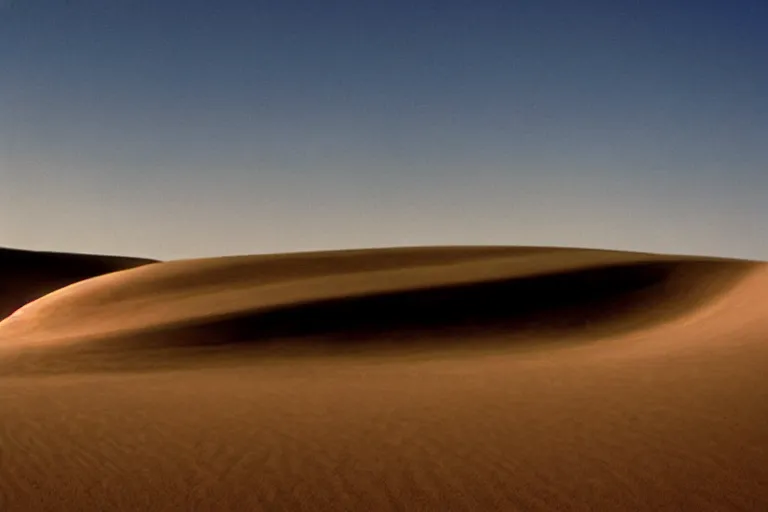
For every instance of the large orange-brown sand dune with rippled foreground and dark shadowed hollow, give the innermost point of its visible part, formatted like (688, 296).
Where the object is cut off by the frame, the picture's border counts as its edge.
(405, 379)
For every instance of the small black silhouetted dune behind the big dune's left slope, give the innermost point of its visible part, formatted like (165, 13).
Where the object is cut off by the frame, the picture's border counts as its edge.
(28, 275)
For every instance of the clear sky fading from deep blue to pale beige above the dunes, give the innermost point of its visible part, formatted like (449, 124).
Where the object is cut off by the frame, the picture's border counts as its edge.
(185, 128)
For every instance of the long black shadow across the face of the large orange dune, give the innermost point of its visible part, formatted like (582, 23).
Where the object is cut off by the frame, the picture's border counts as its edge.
(566, 306)
